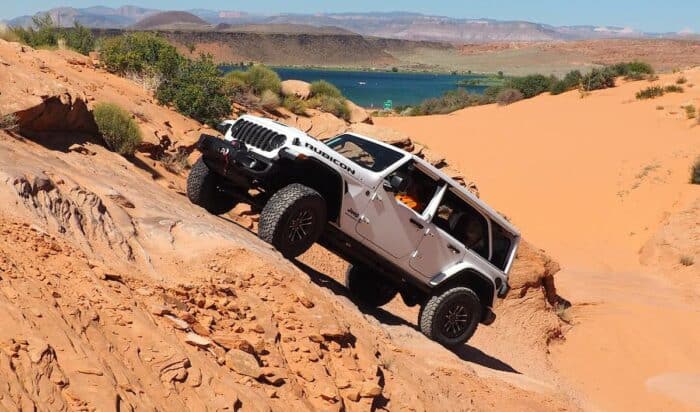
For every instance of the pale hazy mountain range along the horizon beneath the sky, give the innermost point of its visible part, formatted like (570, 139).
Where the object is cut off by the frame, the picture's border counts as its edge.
(396, 25)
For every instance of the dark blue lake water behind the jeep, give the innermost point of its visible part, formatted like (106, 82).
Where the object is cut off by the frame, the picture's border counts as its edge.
(372, 89)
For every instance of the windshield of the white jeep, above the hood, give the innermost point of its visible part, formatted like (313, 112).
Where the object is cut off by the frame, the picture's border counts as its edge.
(365, 153)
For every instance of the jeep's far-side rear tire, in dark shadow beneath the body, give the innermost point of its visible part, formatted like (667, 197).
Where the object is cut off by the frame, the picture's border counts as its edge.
(369, 287)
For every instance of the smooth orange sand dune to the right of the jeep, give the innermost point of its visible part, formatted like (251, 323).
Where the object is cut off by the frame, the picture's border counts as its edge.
(591, 180)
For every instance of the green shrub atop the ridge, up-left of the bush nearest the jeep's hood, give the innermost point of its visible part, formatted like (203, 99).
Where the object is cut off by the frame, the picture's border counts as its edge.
(142, 53)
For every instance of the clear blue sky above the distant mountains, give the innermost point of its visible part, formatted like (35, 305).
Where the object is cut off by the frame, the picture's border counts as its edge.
(645, 15)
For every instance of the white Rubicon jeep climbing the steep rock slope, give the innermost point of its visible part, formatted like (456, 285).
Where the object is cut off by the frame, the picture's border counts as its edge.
(405, 227)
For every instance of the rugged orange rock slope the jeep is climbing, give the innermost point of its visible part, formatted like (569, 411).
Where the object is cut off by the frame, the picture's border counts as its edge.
(119, 293)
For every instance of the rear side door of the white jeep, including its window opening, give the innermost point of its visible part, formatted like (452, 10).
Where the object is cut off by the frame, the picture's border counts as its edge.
(455, 228)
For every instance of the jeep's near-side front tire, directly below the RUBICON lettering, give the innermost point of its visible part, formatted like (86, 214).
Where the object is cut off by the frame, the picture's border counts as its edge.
(293, 219)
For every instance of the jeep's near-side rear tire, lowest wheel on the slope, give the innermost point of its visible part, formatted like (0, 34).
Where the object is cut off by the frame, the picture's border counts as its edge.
(434, 317)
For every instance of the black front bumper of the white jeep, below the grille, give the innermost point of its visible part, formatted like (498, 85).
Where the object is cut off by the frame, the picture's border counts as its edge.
(233, 159)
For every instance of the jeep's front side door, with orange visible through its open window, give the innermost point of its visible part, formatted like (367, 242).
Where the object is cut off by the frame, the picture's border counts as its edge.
(394, 220)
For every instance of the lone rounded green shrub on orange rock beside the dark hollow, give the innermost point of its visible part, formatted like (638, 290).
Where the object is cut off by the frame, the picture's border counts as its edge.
(118, 129)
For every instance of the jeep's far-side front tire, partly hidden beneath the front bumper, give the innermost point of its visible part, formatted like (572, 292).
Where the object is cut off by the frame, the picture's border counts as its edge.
(203, 189)
